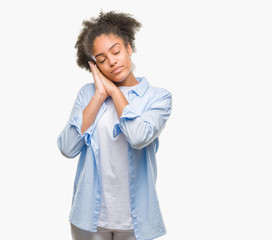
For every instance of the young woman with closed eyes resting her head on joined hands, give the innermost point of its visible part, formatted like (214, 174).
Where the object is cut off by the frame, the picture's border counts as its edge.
(114, 126)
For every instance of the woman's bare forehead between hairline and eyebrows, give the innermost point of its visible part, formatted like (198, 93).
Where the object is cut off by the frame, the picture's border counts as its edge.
(104, 42)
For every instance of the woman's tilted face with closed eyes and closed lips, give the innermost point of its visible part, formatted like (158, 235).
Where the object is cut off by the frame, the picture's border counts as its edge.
(112, 57)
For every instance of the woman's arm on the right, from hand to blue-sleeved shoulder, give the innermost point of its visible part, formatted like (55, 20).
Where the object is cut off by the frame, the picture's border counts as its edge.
(139, 130)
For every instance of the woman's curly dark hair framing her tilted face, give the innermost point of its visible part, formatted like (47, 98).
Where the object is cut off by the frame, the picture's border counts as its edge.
(122, 25)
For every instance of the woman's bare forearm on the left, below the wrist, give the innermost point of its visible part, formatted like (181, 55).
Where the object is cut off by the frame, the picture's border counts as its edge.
(91, 111)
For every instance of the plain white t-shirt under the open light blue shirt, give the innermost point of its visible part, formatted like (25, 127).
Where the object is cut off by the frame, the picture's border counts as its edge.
(115, 212)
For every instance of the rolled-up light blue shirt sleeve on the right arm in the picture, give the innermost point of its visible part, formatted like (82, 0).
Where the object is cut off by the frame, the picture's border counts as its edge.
(142, 129)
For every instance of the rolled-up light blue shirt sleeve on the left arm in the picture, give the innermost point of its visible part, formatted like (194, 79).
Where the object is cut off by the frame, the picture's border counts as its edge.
(71, 141)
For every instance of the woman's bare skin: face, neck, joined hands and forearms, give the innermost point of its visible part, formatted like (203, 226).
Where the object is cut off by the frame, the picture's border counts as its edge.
(112, 69)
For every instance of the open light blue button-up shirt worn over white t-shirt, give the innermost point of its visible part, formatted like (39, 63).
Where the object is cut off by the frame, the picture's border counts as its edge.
(141, 122)
